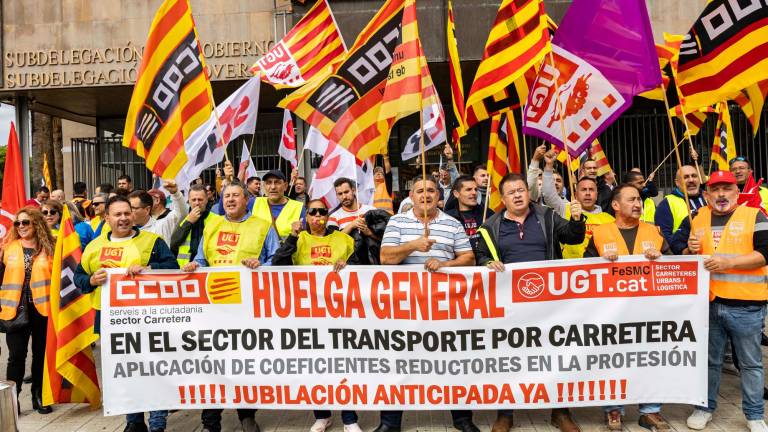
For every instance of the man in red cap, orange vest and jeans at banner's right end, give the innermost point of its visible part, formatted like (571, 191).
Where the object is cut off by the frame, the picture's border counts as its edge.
(735, 238)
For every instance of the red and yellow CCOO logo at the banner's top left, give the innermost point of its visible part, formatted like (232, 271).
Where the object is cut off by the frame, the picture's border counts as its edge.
(175, 289)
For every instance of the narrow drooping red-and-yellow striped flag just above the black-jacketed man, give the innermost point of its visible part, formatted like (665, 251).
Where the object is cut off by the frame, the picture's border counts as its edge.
(503, 155)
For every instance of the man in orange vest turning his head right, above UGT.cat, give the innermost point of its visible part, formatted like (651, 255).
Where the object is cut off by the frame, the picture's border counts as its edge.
(629, 235)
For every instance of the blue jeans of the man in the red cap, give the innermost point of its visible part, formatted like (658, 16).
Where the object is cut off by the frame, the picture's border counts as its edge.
(744, 325)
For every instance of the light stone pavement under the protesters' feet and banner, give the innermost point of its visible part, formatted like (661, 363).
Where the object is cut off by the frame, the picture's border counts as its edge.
(79, 418)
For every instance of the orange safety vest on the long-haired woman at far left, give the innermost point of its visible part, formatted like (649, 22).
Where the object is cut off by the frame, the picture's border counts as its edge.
(13, 280)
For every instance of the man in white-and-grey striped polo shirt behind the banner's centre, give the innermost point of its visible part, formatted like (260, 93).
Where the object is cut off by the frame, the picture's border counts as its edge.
(442, 244)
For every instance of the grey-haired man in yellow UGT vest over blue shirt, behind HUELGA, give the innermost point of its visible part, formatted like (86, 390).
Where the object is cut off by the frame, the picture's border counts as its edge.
(236, 238)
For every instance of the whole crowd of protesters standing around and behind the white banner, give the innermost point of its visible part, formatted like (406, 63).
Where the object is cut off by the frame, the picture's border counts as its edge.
(443, 222)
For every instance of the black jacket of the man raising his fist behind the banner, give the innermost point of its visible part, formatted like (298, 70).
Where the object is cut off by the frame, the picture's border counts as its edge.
(556, 230)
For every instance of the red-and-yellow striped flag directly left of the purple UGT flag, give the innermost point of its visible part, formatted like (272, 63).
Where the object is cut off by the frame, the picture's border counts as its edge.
(518, 41)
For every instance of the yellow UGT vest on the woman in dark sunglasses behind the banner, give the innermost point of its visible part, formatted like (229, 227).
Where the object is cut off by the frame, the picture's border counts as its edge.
(314, 250)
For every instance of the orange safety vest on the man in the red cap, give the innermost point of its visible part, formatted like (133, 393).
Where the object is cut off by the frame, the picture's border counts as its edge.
(736, 239)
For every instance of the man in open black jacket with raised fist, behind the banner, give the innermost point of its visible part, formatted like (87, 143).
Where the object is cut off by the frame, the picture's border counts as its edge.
(522, 232)
